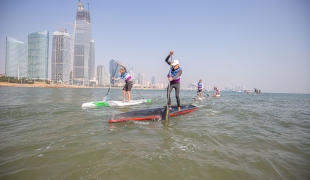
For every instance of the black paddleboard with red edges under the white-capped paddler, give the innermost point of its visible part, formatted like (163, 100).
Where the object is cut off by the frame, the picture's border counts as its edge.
(150, 114)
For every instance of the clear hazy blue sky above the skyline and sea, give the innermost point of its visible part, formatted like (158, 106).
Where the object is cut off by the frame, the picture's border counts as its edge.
(261, 44)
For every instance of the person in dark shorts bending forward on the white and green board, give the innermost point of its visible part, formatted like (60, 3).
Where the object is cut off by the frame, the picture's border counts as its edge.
(128, 81)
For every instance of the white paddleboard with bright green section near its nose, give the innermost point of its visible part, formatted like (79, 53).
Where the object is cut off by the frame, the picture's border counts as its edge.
(95, 104)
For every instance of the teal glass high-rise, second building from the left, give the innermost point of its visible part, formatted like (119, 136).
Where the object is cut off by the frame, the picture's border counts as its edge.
(38, 44)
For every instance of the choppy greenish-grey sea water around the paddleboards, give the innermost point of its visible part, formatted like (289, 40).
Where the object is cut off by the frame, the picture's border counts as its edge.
(45, 134)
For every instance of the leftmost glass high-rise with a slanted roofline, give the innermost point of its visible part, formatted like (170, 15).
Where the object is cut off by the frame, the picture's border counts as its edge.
(16, 55)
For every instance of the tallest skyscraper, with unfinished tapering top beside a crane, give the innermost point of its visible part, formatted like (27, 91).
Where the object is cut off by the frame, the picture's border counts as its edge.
(81, 65)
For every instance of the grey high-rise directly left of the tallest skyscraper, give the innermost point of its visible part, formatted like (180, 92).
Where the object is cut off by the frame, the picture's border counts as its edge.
(61, 57)
